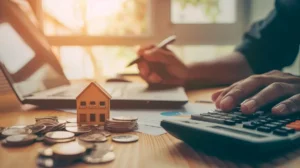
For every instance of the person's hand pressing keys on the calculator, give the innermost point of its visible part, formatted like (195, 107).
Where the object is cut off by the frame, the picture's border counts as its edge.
(258, 91)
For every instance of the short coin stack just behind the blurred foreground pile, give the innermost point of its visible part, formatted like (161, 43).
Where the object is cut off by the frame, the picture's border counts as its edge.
(58, 137)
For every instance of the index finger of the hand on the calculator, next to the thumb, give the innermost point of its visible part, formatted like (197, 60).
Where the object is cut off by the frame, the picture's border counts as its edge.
(242, 91)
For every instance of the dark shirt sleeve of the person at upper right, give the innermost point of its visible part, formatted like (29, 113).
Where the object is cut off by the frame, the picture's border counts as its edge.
(273, 43)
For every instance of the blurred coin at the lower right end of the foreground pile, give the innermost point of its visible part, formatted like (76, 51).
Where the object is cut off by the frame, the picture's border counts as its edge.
(95, 158)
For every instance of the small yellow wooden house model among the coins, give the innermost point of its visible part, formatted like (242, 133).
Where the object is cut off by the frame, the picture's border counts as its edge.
(93, 105)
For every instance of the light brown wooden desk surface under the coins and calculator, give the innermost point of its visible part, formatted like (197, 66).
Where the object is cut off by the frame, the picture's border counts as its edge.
(149, 152)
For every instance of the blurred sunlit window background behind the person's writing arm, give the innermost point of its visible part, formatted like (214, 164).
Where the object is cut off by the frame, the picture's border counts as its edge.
(93, 39)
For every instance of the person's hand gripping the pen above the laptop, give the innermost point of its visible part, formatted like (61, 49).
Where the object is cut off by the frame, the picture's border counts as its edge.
(171, 72)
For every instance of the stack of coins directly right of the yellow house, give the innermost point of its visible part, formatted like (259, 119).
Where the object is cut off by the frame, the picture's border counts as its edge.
(121, 124)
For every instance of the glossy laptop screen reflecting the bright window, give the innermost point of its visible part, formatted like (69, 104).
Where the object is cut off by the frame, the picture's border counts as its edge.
(27, 72)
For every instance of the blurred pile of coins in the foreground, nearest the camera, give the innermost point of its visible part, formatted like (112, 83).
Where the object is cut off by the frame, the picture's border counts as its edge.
(66, 154)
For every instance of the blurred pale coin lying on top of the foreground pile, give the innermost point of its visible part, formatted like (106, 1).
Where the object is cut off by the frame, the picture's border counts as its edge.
(68, 149)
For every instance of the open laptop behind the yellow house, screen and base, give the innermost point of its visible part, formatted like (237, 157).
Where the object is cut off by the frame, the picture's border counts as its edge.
(36, 76)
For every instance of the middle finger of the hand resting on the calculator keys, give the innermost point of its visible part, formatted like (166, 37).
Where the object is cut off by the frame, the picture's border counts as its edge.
(271, 93)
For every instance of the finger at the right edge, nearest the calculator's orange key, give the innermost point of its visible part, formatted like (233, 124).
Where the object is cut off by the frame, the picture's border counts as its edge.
(288, 106)
